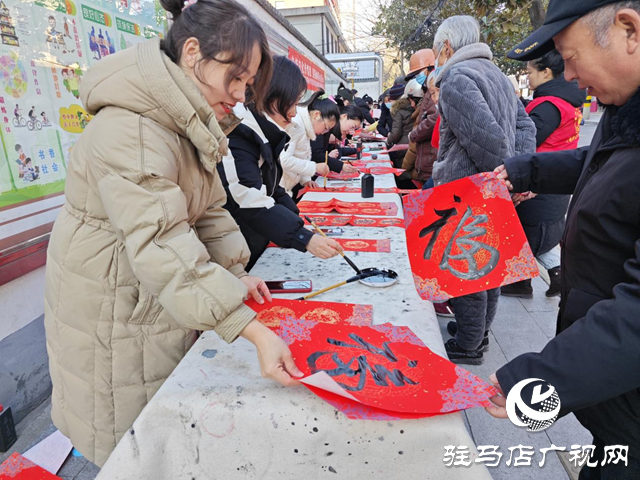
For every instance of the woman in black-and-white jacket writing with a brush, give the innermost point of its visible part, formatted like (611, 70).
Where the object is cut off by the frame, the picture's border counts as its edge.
(251, 171)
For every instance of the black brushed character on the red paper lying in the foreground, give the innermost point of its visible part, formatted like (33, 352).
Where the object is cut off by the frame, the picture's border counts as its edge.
(380, 374)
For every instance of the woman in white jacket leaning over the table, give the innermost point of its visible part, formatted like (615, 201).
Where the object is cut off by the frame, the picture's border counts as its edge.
(316, 116)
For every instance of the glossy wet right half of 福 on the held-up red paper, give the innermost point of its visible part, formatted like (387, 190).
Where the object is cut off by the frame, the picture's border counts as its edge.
(469, 248)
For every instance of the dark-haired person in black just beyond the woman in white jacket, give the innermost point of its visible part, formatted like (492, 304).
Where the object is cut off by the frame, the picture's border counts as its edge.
(334, 141)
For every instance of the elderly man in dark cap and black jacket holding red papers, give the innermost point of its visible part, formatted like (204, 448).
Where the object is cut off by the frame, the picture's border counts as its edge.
(594, 361)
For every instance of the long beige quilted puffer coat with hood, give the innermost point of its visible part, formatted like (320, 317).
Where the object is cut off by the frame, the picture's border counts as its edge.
(143, 252)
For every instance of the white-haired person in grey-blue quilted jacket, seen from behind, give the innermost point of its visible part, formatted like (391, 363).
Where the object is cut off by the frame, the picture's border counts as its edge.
(482, 123)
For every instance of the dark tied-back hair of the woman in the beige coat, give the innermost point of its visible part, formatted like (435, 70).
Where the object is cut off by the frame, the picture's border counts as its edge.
(227, 33)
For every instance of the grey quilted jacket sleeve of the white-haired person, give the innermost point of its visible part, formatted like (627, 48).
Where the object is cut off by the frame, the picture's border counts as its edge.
(472, 122)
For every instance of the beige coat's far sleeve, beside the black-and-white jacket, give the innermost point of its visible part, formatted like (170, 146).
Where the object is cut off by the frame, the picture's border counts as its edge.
(219, 233)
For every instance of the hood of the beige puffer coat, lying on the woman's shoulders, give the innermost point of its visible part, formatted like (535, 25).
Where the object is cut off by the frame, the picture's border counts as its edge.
(145, 81)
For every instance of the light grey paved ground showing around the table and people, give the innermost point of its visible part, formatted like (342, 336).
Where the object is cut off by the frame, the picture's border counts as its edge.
(521, 326)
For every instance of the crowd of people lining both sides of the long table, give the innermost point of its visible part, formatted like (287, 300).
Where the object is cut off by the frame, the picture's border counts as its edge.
(192, 165)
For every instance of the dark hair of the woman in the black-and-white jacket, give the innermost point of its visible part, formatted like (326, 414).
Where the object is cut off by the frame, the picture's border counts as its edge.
(286, 87)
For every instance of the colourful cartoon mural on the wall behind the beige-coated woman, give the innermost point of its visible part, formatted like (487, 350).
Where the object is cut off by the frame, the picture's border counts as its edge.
(45, 49)
